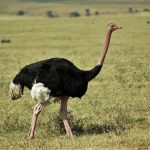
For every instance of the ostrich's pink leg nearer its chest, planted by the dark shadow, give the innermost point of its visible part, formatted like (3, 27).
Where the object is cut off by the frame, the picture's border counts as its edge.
(63, 114)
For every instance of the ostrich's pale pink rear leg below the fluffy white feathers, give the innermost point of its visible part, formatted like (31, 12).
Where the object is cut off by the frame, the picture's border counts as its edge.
(36, 111)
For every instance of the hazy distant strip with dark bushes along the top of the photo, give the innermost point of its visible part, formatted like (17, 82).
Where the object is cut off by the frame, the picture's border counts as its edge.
(64, 8)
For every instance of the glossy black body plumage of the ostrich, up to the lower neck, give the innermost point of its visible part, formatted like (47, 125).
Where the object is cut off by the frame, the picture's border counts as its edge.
(60, 75)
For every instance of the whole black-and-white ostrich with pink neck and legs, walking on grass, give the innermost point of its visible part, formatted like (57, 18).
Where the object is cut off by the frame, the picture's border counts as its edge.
(58, 78)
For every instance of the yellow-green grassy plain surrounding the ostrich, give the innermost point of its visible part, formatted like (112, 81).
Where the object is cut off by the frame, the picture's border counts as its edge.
(115, 111)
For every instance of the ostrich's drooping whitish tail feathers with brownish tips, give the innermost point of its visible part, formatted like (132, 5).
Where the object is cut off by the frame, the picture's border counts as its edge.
(15, 90)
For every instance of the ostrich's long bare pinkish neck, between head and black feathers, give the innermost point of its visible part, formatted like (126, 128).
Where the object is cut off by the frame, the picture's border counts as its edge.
(105, 48)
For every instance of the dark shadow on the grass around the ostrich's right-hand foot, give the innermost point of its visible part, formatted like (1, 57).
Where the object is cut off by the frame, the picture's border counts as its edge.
(80, 127)
